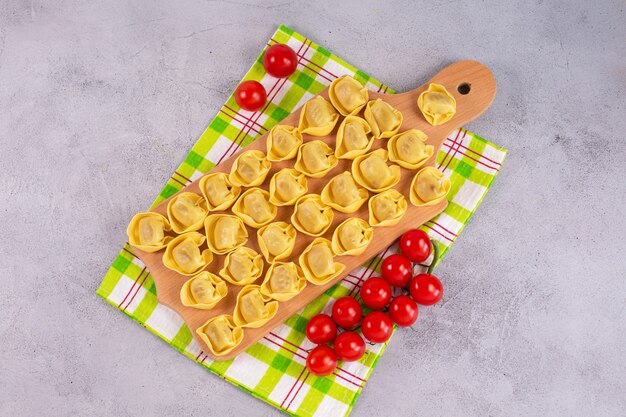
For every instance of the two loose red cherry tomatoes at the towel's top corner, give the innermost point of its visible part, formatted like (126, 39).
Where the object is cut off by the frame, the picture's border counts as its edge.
(279, 61)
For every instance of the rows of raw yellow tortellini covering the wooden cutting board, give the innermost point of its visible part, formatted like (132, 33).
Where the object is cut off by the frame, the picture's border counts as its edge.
(214, 223)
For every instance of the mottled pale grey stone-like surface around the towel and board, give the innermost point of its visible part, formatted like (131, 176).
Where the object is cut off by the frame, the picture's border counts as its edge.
(100, 101)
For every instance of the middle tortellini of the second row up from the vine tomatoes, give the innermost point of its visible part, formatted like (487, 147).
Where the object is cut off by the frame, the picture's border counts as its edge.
(311, 216)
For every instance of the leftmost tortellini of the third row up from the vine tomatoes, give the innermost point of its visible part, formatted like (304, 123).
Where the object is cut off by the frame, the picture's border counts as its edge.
(183, 254)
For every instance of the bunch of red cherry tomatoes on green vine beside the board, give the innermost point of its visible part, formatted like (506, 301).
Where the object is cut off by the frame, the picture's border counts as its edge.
(376, 294)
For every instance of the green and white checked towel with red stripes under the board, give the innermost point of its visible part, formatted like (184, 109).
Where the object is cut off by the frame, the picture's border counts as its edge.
(274, 368)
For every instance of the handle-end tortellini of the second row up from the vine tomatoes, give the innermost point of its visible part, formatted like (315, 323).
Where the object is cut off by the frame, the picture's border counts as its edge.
(409, 150)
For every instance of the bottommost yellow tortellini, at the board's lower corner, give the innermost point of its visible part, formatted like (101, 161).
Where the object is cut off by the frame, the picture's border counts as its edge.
(221, 334)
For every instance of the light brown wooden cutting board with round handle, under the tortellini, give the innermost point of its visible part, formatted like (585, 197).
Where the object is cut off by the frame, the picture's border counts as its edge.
(474, 88)
